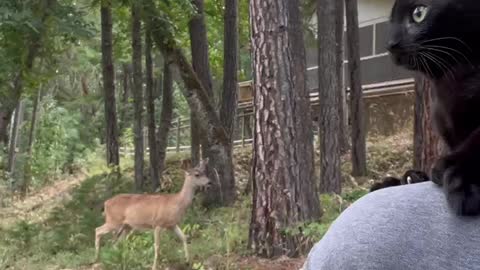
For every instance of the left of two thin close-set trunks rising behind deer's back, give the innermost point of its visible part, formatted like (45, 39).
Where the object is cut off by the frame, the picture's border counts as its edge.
(137, 95)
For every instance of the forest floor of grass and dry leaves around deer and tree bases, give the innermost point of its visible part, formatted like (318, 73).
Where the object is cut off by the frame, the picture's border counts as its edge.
(53, 227)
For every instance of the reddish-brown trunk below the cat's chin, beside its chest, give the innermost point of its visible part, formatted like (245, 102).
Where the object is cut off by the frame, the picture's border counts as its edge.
(427, 145)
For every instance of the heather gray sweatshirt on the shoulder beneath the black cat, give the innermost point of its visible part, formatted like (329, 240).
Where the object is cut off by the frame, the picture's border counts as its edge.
(405, 227)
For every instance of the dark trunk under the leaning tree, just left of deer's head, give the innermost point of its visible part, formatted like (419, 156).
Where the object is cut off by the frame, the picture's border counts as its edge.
(165, 116)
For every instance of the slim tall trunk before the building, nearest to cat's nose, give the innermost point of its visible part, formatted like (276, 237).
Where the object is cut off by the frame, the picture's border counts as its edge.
(359, 151)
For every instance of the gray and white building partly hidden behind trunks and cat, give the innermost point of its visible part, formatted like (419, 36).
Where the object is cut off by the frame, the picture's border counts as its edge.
(387, 87)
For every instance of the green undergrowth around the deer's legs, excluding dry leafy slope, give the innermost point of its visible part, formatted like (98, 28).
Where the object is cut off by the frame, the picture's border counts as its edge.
(66, 238)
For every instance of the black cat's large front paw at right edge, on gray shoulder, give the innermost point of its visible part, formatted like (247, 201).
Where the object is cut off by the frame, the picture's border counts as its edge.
(462, 188)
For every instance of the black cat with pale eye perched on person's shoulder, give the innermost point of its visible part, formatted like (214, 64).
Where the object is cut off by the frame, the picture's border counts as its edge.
(445, 46)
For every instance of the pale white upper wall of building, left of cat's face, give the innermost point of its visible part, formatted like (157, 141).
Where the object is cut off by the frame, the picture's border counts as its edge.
(370, 11)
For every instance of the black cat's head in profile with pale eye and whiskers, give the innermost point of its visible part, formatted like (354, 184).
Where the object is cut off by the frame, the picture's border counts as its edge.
(434, 36)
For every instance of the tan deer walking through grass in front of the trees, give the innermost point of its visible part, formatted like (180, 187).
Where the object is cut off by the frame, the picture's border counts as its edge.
(125, 213)
